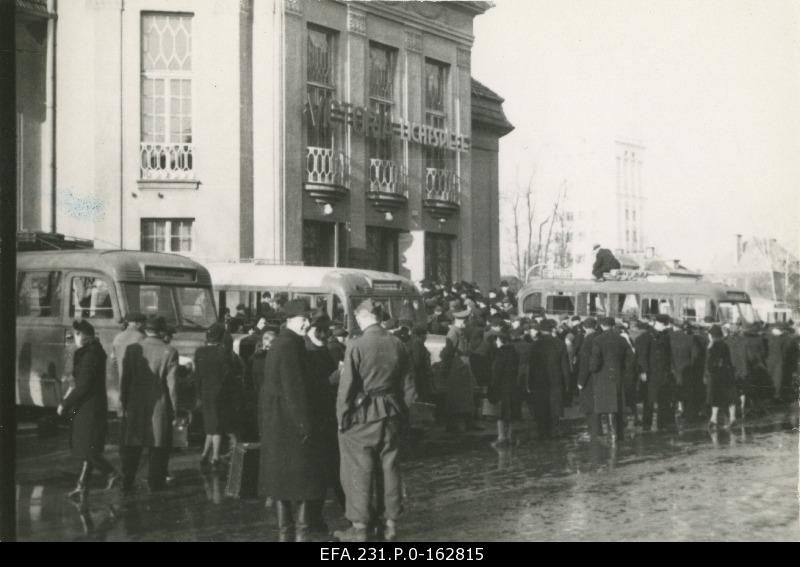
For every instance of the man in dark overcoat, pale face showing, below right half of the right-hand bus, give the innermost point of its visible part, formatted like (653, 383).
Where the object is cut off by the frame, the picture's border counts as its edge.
(656, 372)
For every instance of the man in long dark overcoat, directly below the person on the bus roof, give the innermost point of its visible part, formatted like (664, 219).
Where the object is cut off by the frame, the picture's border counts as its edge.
(612, 364)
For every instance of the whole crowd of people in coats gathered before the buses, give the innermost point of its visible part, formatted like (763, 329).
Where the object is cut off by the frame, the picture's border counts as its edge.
(329, 406)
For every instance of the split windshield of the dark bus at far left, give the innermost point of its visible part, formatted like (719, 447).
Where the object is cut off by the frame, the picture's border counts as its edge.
(184, 307)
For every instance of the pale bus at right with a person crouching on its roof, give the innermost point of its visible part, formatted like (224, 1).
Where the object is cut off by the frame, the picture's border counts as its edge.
(623, 295)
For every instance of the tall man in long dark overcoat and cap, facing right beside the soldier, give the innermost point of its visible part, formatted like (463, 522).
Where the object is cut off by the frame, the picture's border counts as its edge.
(292, 470)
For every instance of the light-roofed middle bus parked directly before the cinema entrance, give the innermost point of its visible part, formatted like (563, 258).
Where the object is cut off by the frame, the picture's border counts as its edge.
(336, 291)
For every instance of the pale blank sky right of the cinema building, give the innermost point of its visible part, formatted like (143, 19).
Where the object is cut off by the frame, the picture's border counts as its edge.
(712, 88)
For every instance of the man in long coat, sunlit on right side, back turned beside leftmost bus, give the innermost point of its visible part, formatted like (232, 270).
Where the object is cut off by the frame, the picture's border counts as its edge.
(147, 396)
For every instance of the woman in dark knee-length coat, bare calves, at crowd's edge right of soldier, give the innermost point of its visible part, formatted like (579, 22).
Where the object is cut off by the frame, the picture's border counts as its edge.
(505, 388)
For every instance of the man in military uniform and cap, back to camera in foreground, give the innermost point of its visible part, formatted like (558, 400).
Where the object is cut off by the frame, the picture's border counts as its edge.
(375, 391)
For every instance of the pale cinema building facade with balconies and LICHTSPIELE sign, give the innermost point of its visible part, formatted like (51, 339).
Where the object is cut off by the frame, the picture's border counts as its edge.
(315, 131)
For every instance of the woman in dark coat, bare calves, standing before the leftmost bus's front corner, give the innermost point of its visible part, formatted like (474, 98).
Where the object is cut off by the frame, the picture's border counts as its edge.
(216, 372)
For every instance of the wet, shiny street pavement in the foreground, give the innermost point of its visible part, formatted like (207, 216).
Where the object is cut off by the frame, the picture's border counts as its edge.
(688, 485)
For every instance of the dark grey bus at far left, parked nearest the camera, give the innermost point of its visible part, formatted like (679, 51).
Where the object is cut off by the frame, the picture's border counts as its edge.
(102, 286)
